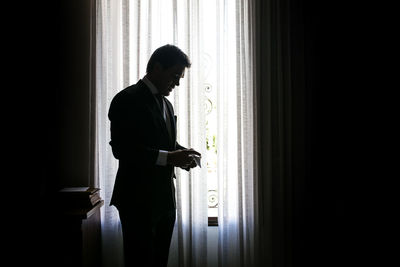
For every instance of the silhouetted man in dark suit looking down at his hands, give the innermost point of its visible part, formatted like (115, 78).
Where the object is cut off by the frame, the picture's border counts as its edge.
(143, 139)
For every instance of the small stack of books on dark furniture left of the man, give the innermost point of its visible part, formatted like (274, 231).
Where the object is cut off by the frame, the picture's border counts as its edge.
(79, 197)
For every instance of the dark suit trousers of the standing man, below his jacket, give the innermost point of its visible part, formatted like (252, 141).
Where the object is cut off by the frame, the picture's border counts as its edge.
(146, 244)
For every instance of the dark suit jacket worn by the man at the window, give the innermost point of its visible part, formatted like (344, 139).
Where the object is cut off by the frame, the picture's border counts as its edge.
(138, 132)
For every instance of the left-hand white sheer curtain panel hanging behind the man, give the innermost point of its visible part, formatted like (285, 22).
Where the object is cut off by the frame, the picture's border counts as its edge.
(127, 33)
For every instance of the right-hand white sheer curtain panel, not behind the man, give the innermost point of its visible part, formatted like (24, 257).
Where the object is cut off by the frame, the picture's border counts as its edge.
(236, 134)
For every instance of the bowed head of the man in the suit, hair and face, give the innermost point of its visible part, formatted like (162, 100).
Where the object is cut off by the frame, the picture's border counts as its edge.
(166, 67)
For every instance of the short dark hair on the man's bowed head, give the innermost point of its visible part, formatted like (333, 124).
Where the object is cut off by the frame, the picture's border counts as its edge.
(168, 56)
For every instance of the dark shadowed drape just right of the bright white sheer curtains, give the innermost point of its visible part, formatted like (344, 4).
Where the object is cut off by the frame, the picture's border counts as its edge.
(273, 183)
